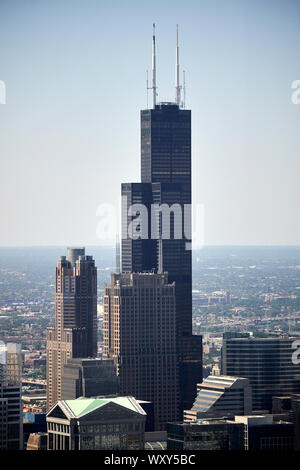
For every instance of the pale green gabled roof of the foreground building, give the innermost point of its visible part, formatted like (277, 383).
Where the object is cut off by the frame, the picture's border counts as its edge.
(83, 405)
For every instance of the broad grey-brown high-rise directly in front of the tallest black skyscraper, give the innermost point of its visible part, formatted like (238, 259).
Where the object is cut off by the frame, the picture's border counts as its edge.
(139, 328)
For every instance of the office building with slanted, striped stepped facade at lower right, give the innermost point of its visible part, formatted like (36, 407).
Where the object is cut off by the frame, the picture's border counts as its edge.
(221, 396)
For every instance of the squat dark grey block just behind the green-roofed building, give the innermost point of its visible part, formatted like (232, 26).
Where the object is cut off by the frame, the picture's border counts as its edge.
(89, 378)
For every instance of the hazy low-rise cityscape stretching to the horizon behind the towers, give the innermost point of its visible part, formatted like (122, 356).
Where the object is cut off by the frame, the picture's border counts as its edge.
(263, 299)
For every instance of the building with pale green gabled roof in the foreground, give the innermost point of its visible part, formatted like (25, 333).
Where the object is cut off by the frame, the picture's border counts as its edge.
(96, 424)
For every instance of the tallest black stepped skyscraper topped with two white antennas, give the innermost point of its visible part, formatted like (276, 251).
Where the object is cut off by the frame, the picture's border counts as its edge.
(163, 198)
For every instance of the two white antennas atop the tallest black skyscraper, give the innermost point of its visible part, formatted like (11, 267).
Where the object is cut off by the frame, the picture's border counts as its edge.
(178, 87)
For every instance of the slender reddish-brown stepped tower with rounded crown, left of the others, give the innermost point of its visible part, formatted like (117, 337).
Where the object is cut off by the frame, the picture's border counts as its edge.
(75, 332)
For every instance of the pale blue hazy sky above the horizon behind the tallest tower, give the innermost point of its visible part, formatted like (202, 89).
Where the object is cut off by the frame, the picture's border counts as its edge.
(75, 75)
